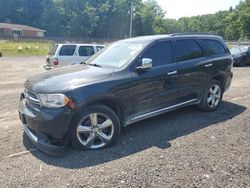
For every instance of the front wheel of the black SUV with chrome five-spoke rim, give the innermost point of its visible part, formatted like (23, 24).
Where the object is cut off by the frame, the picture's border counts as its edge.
(96, 127)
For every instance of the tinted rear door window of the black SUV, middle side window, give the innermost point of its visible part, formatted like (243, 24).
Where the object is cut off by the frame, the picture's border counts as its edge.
(188, 49)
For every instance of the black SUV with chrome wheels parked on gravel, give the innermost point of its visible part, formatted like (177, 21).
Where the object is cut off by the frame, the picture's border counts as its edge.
(128, 81)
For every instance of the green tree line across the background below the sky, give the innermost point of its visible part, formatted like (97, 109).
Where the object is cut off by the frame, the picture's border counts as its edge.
(110, 19)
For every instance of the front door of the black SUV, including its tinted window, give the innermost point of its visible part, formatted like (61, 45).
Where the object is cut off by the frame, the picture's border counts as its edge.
(156, 88)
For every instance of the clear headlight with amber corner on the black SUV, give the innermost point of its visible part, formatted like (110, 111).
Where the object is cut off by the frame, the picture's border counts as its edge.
(53, 100)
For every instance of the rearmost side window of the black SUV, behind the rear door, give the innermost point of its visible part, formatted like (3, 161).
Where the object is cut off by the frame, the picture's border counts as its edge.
(214, 47)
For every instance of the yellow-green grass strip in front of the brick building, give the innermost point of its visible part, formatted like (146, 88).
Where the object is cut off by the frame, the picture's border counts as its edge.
(24, 47)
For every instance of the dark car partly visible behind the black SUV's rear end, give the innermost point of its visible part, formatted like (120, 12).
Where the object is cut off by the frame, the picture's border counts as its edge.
(241, 55)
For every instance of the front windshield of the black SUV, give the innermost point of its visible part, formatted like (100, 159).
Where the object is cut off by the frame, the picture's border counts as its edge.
(117, 54)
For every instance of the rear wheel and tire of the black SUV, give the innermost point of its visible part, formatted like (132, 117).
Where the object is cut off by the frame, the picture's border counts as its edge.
(211, 99)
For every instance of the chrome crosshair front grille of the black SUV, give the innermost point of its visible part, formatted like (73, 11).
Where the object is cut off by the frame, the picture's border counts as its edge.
(32, 100)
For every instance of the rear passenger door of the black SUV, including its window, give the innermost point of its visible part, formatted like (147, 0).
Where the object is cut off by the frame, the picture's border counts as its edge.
(191, 61)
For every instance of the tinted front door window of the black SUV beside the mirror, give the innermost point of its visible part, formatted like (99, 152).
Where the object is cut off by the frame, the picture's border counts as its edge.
(160, 53)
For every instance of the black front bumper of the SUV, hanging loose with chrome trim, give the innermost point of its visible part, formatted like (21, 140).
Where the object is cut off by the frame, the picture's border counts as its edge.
(48, 128)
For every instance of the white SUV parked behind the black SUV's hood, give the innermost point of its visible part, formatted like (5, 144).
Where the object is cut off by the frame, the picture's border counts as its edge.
(68, 54)
